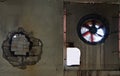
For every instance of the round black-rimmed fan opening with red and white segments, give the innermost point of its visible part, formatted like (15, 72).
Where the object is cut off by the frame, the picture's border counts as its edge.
(93, 29)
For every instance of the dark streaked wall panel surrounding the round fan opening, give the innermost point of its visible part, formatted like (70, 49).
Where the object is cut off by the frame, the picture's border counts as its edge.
(101, 56)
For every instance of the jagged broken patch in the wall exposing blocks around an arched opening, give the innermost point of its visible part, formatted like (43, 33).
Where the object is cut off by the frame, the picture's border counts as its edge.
(21, 49)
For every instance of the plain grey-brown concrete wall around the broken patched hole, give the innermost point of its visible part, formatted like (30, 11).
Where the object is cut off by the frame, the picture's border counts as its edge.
(43, 18)
